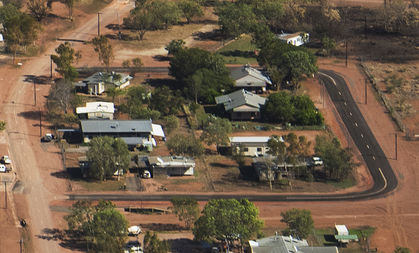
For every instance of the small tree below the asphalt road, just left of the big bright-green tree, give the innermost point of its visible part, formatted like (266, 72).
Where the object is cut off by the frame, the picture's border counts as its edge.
(186, 209)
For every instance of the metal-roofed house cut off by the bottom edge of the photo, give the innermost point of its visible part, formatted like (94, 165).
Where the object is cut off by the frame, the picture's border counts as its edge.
(287, 244)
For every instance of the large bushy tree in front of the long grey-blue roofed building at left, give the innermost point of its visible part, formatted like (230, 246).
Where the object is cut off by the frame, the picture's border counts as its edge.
(106, 155)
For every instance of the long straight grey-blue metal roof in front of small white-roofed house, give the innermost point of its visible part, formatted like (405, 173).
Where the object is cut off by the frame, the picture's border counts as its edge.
(116, 126)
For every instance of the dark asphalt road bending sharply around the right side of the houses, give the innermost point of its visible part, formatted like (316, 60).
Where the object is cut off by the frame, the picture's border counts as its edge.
(384, 178)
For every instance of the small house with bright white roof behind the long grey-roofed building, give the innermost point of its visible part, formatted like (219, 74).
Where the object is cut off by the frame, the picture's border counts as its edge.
(96, 110)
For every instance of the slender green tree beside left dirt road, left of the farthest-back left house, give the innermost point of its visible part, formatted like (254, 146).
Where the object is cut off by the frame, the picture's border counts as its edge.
(65, 58)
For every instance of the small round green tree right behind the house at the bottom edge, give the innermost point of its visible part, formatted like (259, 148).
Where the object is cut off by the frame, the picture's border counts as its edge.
(299, 222)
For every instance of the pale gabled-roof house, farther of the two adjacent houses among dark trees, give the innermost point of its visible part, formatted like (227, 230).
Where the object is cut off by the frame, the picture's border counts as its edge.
(249, 78)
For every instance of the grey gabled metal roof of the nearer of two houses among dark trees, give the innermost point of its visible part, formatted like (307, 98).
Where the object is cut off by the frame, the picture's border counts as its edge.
(239, 98)
